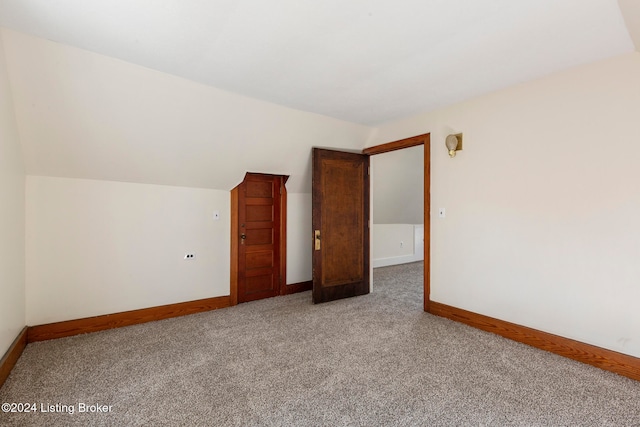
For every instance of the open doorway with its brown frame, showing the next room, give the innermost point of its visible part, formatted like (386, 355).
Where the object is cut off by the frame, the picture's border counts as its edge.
(398, 238)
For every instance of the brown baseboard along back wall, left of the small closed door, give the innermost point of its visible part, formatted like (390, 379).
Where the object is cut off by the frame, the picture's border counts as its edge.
(127, 318)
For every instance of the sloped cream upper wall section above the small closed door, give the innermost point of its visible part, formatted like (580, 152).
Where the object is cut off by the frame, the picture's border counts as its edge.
(84, 115)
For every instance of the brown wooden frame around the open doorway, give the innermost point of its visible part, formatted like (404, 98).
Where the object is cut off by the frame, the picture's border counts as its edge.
(424, 139)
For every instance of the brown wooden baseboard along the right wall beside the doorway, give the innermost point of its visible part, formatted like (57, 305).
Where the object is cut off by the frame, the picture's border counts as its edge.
(609, 360)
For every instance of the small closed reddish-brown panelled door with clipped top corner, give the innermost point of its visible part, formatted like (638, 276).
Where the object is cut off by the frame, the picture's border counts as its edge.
(259, 237)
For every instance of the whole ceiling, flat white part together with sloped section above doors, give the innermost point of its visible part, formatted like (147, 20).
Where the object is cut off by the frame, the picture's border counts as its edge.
(197, 92)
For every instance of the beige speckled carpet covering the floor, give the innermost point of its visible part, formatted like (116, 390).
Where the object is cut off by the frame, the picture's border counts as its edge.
(366, 361)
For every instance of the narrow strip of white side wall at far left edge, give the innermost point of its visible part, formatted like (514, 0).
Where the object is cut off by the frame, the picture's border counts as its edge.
(12, 178)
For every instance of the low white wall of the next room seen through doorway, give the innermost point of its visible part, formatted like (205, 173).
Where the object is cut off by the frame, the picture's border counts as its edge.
(393, 244)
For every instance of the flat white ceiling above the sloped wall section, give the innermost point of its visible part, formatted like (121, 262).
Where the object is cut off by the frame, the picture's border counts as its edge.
(363, 61)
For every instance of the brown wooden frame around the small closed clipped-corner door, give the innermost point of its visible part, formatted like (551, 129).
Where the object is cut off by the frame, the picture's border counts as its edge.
(235, 236)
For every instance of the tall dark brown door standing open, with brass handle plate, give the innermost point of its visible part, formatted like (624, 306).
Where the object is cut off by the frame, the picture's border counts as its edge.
(340, 225)
